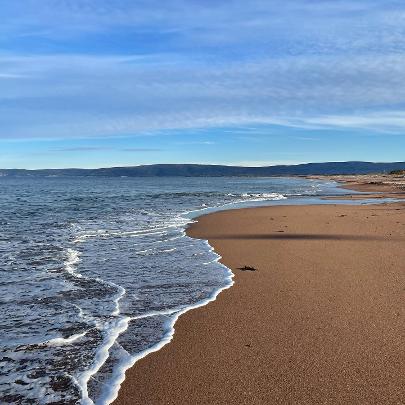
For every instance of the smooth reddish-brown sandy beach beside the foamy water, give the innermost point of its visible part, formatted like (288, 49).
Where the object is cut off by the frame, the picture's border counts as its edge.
(320, 320)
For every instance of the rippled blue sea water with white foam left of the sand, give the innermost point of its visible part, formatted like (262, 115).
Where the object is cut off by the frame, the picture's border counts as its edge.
(95, 271)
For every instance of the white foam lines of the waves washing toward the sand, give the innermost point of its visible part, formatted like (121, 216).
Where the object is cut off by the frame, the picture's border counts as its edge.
(114, 329)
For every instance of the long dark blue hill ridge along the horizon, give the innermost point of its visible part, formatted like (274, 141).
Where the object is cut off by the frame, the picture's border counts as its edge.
(189, 170)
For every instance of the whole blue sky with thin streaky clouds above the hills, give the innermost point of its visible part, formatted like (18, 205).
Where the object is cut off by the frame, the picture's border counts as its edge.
(99, 83)
